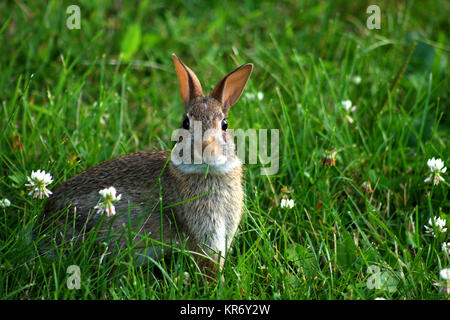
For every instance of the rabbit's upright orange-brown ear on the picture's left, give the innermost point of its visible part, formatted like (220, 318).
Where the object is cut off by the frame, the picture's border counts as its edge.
(190, 86)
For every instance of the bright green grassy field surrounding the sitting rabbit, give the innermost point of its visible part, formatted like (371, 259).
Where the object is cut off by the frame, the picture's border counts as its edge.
(71, 98)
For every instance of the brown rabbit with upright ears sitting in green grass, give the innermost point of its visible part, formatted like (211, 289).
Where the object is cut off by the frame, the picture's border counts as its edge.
(201, 202)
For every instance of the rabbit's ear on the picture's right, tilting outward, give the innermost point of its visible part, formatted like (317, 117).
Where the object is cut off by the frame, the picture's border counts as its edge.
(230, 88)
